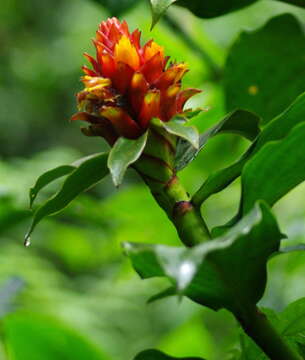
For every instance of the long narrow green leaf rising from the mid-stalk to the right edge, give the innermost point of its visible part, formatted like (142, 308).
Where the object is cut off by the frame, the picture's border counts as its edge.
(277, 129)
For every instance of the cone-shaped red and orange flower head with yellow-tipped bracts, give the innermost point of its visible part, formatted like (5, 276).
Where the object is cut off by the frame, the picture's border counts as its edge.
(128, 84)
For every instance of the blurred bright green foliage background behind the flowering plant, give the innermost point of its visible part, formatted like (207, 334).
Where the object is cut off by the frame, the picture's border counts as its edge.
(72, 294)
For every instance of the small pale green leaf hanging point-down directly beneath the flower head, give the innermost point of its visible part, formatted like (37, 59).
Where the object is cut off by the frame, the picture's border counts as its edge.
(124, 153)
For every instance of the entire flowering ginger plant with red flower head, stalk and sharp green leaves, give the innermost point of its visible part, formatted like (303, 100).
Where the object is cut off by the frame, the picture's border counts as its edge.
(133, 98)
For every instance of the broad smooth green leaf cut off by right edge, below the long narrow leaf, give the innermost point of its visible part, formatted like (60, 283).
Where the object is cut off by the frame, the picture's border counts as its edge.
(276, 169)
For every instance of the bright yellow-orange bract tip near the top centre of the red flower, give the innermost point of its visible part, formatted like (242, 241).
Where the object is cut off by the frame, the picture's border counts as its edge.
(126, 52)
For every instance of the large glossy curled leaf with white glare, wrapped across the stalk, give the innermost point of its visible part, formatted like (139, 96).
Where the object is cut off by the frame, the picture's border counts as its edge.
(229, 271)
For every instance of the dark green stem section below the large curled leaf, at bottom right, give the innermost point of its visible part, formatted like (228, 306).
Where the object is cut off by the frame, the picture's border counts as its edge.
(257, 326)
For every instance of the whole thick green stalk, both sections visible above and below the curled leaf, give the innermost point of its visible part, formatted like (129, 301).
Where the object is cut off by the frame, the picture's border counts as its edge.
(156, 167)
